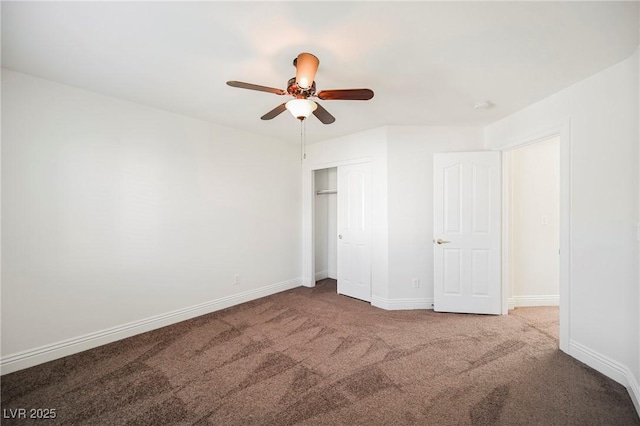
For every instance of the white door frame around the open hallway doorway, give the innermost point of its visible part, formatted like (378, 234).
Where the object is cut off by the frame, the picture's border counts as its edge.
(563, 132)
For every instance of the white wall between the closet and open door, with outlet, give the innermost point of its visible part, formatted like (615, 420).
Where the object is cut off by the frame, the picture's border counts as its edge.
(410, 192)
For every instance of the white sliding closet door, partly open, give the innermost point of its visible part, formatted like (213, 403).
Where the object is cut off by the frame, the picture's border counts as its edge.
(354, 231)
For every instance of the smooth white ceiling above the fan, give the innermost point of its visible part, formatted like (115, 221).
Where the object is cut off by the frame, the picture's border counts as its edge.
(427, 62)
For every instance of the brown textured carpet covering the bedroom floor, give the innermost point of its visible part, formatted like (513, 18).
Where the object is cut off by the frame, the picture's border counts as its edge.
(310, 356)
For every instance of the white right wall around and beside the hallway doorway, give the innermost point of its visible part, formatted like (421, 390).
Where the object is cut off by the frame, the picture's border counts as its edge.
(604, 262)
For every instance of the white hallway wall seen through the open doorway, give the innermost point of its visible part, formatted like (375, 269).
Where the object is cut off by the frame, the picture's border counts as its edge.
(535, 223)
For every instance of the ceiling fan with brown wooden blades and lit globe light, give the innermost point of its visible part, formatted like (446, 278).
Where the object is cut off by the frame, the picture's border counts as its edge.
(302, 87)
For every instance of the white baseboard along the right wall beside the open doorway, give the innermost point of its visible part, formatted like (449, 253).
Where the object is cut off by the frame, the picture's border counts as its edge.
(610, 368)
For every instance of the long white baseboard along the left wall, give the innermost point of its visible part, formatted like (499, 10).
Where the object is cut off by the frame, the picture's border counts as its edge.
(31, 357)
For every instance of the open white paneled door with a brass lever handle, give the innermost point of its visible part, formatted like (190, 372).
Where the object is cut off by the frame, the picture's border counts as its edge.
(467, 233)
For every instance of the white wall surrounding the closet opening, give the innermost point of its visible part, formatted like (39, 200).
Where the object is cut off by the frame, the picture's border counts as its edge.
(369, 146)
